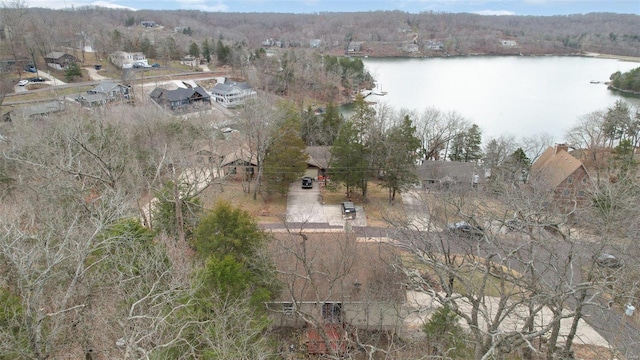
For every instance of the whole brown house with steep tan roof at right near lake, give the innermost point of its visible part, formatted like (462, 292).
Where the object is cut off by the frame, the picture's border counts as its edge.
(562, 173)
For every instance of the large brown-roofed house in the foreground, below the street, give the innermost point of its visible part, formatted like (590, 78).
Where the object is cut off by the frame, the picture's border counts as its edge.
(335, 285)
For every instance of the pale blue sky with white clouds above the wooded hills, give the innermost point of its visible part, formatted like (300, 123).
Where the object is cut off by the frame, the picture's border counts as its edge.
(498, 7)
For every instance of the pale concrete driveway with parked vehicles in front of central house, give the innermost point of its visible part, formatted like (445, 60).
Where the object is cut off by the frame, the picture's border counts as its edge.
(305, 206)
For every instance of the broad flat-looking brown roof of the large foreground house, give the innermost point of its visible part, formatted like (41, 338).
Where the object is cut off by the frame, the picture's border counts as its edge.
(321, 267)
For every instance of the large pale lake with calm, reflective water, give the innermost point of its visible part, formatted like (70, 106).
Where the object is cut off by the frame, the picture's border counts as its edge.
(516, 95)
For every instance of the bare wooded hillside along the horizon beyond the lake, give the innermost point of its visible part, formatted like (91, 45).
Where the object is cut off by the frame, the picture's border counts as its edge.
(382, 33)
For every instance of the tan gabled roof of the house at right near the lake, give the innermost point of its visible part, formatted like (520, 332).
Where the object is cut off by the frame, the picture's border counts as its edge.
(555, 165)
